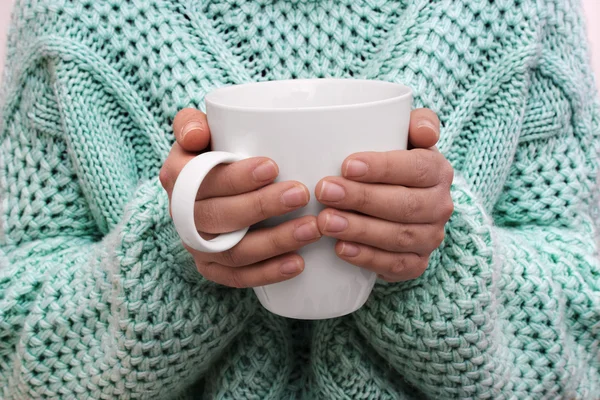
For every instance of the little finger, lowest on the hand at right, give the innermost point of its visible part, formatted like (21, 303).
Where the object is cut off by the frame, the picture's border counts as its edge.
(395, 267)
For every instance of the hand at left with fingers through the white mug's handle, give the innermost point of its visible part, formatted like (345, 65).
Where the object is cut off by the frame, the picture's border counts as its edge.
(237, 195)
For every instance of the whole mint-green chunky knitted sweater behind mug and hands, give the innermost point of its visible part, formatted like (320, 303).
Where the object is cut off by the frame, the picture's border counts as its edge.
(99, 300)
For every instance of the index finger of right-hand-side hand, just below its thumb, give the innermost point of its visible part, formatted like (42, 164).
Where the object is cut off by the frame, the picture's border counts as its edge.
(412, 168)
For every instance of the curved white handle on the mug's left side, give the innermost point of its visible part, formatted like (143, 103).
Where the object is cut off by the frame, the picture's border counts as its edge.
(183, 199)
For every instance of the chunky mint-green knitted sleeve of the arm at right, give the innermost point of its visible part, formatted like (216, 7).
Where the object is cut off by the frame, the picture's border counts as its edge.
(510, 305)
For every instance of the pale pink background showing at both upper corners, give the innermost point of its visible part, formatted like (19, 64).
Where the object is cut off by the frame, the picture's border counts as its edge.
(592, 11)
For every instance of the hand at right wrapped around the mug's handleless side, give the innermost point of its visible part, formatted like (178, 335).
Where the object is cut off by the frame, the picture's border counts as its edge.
(403, 202)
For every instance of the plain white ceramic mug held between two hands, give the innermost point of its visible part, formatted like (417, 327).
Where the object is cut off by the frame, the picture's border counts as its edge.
(308, 127)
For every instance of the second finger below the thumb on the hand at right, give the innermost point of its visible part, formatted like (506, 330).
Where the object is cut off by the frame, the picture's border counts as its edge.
(392, 203)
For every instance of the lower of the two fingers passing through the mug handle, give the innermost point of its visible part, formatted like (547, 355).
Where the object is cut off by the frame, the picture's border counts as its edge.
(227, 214)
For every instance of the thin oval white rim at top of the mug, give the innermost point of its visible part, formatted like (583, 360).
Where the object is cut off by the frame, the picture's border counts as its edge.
(406, 93)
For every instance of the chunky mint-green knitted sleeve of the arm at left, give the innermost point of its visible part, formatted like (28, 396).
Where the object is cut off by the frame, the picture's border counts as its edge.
(98, 298)
